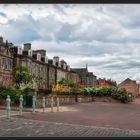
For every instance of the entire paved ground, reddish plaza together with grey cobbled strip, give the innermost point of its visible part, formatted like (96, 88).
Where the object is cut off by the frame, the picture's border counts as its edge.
(84, 119)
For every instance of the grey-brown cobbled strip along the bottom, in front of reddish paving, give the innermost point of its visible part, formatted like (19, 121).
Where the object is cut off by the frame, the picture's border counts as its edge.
(26, 128)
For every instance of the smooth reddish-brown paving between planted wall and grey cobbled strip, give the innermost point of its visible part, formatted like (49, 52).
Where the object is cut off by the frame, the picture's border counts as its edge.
(101, 114)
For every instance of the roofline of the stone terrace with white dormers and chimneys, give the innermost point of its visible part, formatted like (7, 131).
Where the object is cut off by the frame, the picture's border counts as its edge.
(40, 55)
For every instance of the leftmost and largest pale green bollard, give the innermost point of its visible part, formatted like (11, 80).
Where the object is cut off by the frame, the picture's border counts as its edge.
(8, 108)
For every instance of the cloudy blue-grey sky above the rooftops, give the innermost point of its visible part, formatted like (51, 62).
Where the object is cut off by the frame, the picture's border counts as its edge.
(106, 37)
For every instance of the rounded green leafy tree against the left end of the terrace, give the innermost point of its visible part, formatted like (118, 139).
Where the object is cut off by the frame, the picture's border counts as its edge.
(21, 76)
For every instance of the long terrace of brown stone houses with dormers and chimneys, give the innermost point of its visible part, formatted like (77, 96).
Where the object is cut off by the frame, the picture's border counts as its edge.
(44, 72)
